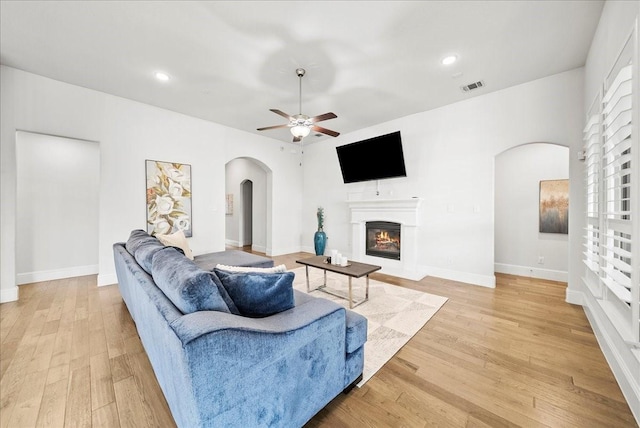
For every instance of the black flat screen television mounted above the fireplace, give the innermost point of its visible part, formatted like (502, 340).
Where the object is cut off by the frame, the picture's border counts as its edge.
(372, 159)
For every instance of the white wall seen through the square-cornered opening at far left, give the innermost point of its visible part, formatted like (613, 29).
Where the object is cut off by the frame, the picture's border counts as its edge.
(57, 207)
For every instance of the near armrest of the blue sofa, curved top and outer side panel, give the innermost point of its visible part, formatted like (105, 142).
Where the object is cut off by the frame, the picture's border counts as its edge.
(262, 371)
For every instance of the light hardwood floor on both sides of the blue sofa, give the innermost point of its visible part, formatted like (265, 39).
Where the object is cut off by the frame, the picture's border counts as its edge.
(516, 355)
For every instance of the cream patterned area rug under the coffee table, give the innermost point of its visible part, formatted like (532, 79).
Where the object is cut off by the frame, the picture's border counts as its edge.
(394, 313)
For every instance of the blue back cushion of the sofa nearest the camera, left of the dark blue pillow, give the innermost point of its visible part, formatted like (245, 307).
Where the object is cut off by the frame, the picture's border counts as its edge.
(188, 287)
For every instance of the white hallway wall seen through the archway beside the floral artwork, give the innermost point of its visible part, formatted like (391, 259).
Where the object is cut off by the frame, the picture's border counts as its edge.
(237, 171)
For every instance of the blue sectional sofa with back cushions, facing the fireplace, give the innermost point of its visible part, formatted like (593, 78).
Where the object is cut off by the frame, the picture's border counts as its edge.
(221, 369)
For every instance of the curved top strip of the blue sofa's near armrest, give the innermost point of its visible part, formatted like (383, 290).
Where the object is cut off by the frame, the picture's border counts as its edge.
(192, 326)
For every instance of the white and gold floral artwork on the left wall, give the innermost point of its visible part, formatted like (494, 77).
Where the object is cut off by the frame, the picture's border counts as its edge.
(168, 198)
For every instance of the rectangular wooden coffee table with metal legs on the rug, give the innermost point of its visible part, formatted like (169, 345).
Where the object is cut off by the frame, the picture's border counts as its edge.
(353, 270)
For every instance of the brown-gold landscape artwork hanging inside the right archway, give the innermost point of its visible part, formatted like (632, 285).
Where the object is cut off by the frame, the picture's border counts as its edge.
(554, 206)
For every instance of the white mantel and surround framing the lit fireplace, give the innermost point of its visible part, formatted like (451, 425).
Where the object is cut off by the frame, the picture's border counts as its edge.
(403, 211)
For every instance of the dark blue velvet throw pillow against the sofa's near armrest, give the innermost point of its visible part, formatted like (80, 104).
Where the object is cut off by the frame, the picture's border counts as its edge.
(257, 294)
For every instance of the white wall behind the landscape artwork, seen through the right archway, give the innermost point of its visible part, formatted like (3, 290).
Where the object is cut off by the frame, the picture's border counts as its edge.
(518, 242)
